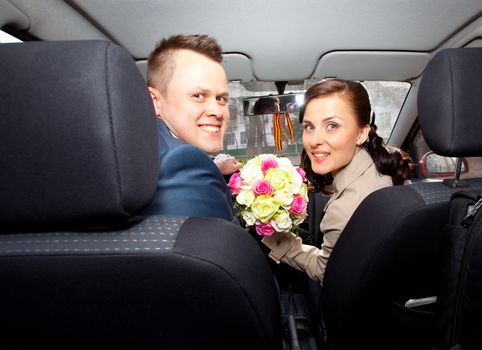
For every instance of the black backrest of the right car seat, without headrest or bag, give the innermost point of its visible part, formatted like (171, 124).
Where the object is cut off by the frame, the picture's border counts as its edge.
(389, 252)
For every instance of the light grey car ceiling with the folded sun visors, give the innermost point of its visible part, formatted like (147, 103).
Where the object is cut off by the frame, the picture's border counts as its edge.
(269, 40)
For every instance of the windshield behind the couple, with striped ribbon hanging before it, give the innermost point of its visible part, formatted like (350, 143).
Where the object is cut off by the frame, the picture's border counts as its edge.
(250, 133)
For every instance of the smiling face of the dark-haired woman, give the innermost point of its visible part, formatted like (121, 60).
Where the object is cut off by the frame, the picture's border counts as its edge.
(331, 135)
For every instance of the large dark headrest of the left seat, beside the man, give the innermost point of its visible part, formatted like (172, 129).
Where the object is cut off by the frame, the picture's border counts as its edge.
(78, 134)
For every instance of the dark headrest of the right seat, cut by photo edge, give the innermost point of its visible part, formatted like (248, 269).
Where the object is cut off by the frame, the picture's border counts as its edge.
(450, 102)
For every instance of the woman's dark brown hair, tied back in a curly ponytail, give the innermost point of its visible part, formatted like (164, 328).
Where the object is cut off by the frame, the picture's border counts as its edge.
(388, 160)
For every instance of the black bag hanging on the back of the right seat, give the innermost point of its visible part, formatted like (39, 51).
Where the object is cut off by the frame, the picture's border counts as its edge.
(460, 298)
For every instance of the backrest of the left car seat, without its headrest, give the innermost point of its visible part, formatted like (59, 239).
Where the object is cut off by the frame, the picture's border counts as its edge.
(164, 282)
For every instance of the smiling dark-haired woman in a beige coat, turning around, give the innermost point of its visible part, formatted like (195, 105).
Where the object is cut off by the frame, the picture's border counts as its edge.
(341, 149)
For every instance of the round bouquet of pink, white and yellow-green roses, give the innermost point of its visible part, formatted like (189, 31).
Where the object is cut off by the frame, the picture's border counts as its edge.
(270, 194)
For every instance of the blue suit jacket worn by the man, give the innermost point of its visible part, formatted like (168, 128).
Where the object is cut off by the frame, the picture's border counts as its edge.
(190, 184)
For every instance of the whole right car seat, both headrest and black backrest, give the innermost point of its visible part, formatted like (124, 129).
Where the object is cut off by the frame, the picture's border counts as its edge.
(390, 251)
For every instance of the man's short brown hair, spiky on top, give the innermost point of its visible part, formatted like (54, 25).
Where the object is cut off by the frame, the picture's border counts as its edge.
(161, 63)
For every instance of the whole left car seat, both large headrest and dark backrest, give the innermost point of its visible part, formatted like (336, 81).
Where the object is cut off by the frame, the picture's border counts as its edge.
(78, 267)
